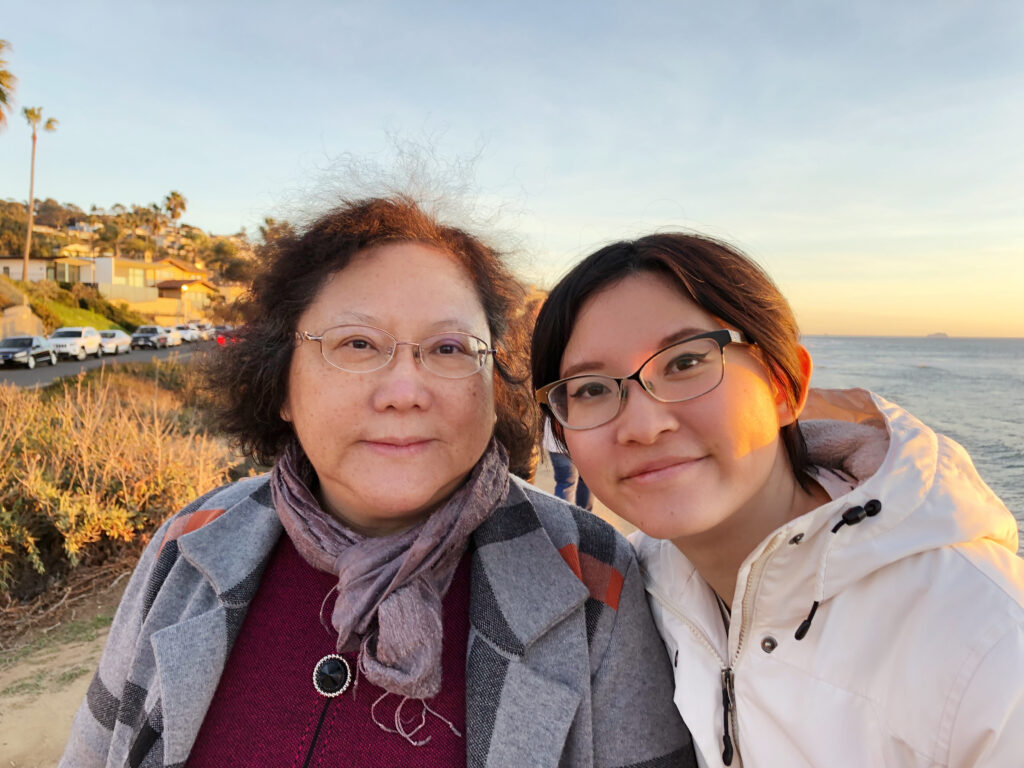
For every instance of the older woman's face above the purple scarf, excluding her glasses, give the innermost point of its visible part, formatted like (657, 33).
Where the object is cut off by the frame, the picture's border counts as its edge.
(393, 445)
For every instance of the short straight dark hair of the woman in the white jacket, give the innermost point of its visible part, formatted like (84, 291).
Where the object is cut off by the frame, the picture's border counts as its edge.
(718, 278)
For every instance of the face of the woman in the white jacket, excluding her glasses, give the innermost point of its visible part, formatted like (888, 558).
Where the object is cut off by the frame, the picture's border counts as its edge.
(684, 470)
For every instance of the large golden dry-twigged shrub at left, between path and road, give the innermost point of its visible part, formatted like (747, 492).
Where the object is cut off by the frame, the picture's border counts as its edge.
(96, 464)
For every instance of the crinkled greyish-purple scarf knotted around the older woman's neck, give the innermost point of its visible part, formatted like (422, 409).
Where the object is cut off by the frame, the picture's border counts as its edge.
(390, 588)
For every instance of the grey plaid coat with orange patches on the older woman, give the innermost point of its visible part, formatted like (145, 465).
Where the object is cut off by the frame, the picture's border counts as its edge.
(565, 666)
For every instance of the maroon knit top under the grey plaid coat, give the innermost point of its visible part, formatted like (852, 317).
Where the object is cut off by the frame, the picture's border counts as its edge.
(268, 713)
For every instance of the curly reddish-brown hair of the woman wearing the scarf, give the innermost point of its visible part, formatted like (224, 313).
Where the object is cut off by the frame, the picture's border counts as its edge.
(249, 379)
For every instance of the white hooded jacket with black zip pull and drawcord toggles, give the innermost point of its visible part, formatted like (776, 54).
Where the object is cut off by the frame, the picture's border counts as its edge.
(915, 653)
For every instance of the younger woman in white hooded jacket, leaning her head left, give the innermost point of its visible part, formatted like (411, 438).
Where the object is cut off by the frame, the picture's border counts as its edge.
(835, 584)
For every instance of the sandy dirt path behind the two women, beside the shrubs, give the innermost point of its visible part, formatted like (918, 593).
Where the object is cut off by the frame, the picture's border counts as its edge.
(45, 678)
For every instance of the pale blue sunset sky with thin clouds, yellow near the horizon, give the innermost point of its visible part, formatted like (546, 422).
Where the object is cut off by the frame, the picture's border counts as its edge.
(869, 155)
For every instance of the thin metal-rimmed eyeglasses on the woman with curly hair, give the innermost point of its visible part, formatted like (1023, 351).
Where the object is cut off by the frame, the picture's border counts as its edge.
(363, 350)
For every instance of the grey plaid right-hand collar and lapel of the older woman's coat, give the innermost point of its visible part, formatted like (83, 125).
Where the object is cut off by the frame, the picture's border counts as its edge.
(524, 656)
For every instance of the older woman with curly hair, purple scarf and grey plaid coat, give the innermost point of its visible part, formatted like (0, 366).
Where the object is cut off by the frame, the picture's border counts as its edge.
(388, 595)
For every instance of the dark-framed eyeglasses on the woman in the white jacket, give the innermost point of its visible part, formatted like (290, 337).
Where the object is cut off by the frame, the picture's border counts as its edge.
(680, 372)
